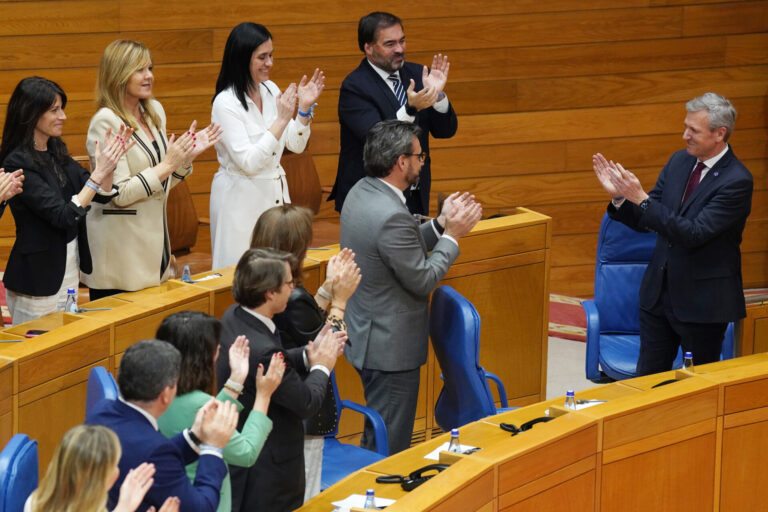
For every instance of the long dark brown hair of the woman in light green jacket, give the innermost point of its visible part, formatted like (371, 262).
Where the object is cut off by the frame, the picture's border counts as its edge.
(196, 335)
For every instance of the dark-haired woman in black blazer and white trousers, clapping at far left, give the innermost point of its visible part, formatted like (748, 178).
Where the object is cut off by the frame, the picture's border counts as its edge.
(51, 240)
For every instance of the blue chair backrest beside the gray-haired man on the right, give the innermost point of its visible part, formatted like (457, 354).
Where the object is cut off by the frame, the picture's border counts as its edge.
(622, 256)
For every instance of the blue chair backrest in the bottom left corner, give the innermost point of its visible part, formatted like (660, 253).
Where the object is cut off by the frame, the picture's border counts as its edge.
(18, 472)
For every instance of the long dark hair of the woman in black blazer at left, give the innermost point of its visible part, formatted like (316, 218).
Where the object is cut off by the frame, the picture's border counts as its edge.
(31, 99)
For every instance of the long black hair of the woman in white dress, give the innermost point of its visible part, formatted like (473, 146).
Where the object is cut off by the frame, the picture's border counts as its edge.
(236, 64)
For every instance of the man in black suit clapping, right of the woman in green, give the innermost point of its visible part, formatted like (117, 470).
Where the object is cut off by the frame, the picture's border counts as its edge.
(262, 287)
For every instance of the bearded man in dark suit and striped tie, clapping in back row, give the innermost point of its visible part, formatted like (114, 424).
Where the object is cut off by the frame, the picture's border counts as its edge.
(385, 86)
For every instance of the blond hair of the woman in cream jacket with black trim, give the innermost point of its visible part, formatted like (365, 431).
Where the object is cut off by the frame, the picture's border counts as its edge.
(120, 60)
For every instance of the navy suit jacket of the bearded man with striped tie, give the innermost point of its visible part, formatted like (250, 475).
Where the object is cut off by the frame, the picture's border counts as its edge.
(364, 100)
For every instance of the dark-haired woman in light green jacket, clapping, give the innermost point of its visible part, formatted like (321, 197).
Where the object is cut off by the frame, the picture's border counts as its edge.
(196, 335)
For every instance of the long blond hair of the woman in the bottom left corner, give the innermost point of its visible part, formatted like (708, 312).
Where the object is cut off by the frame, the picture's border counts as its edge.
(76, 478)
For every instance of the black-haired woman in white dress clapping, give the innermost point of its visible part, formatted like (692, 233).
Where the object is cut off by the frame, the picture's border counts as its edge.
(258, 123)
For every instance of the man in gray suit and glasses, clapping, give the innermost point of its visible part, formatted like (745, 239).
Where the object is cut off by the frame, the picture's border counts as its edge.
(386, 318)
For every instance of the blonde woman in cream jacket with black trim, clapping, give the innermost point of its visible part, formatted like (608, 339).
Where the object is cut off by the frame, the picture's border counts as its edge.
(131, 245)
